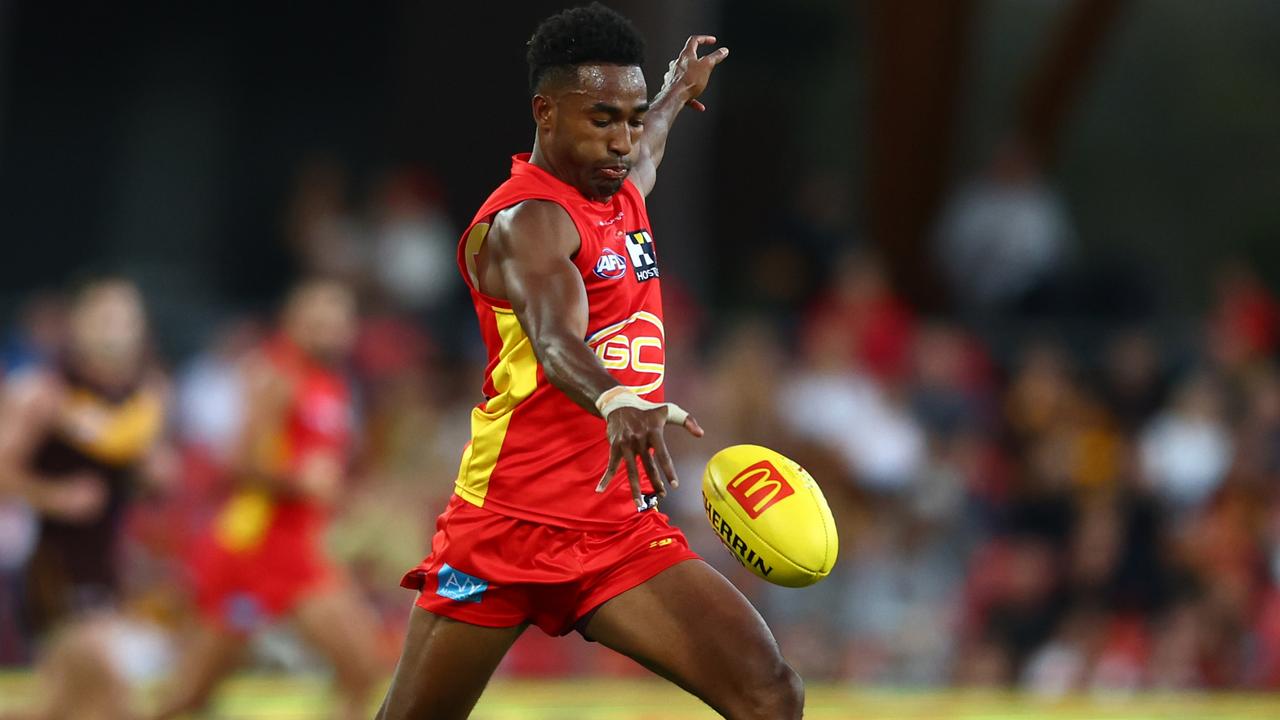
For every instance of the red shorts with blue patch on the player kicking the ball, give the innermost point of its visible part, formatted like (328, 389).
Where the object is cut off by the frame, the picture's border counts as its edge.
(499, 572)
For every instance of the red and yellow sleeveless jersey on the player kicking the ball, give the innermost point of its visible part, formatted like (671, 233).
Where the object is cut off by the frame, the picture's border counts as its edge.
(536, 454)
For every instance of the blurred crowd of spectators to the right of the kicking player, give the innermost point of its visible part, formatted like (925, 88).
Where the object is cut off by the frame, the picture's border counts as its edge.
(1058, 520)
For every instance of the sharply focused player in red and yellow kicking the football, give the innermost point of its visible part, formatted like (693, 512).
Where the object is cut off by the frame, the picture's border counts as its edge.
(554, 520)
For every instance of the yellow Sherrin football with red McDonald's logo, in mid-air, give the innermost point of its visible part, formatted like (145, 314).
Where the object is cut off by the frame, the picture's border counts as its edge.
(771, 516)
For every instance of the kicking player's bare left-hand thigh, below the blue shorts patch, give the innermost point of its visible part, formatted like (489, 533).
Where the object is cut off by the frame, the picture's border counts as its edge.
(445, 668)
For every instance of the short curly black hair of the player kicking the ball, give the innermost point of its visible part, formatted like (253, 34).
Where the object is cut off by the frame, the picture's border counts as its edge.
(592, 34)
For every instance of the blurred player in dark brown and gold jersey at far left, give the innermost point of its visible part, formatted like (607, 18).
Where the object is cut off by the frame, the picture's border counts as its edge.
(74, 440)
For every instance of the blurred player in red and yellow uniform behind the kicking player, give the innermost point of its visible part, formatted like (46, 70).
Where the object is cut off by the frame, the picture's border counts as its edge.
(264, 557)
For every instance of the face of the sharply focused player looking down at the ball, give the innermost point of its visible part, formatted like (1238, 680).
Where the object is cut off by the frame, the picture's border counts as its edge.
(595, 126)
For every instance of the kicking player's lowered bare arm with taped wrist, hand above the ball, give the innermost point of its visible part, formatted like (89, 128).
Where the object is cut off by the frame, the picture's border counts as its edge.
(527, 261)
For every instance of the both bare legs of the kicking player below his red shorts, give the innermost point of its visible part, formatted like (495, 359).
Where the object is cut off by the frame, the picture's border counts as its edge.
(688, 625)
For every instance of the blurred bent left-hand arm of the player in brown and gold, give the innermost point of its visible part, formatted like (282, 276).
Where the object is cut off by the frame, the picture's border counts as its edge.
(29, 412)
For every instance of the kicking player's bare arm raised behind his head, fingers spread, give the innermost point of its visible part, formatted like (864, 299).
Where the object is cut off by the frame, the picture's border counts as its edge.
(685, 81)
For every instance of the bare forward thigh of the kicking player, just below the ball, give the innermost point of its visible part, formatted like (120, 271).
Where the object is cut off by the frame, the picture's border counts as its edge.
(692, 626)
